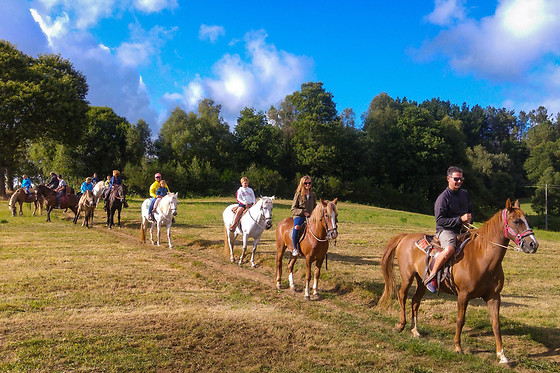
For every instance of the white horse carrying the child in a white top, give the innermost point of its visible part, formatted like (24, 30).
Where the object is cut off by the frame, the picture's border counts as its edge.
(253, 222)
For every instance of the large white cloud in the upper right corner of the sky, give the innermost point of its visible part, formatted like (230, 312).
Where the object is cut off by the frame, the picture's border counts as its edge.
(519, 45)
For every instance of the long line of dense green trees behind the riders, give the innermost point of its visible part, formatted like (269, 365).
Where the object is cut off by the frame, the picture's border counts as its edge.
(397, 158)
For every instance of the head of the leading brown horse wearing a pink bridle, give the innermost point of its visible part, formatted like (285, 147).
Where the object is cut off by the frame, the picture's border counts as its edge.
(517, 228)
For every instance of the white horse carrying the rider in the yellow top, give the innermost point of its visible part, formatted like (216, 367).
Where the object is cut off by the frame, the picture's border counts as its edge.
(163, 215)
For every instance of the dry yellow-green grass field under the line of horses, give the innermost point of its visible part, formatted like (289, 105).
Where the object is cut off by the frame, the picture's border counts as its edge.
(73, 299)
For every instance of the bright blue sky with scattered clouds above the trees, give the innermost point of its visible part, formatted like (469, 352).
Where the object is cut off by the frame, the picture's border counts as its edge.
(145, 57)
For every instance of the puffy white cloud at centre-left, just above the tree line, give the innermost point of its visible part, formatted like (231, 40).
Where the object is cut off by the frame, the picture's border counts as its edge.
(263, 80)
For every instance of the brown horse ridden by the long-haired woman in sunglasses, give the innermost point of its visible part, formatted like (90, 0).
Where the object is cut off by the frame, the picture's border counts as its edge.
(321, 227)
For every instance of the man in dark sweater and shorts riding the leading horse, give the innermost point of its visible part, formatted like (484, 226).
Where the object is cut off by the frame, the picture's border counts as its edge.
(452, 209)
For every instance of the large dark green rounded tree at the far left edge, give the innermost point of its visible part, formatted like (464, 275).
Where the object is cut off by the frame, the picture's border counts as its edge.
(40, 98)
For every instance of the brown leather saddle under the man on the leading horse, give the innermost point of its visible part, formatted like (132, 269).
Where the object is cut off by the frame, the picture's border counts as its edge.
(431, 246)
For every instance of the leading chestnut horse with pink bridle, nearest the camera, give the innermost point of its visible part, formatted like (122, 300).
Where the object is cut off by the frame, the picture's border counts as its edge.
(477, 271)
